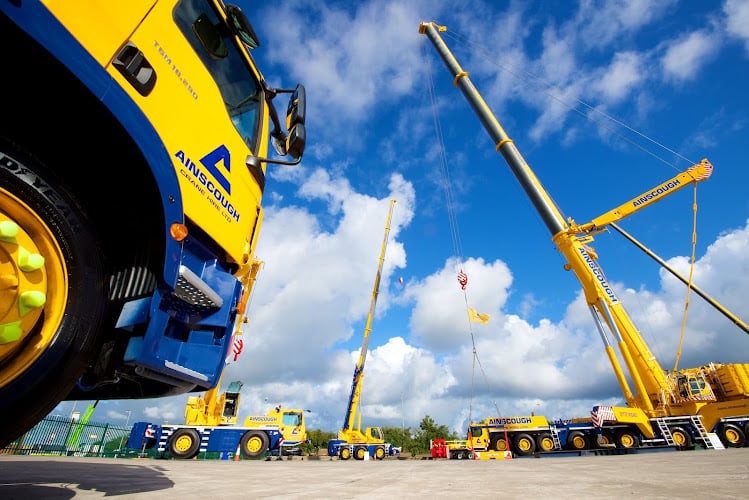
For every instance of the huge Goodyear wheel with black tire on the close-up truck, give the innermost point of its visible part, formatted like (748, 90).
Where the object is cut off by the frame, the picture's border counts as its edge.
(44, 348)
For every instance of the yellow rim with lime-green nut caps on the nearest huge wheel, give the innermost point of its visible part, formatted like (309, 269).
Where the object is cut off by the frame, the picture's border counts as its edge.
(34, 282)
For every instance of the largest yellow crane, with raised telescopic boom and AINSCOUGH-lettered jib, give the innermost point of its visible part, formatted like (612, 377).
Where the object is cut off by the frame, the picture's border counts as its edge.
(678, 407)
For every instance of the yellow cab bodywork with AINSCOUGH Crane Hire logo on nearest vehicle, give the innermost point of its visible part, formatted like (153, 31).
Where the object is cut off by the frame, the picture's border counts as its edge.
(231, 212)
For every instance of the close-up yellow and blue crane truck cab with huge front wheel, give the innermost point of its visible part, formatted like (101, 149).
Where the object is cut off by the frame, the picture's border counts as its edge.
(130, 196)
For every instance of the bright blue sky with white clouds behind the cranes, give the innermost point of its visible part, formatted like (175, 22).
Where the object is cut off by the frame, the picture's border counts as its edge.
(385, 121)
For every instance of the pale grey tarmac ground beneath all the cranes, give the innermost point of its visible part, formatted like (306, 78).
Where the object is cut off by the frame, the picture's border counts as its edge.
(695, 474)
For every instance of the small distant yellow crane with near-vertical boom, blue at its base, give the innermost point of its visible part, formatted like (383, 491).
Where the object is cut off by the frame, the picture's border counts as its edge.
(351, 440)
